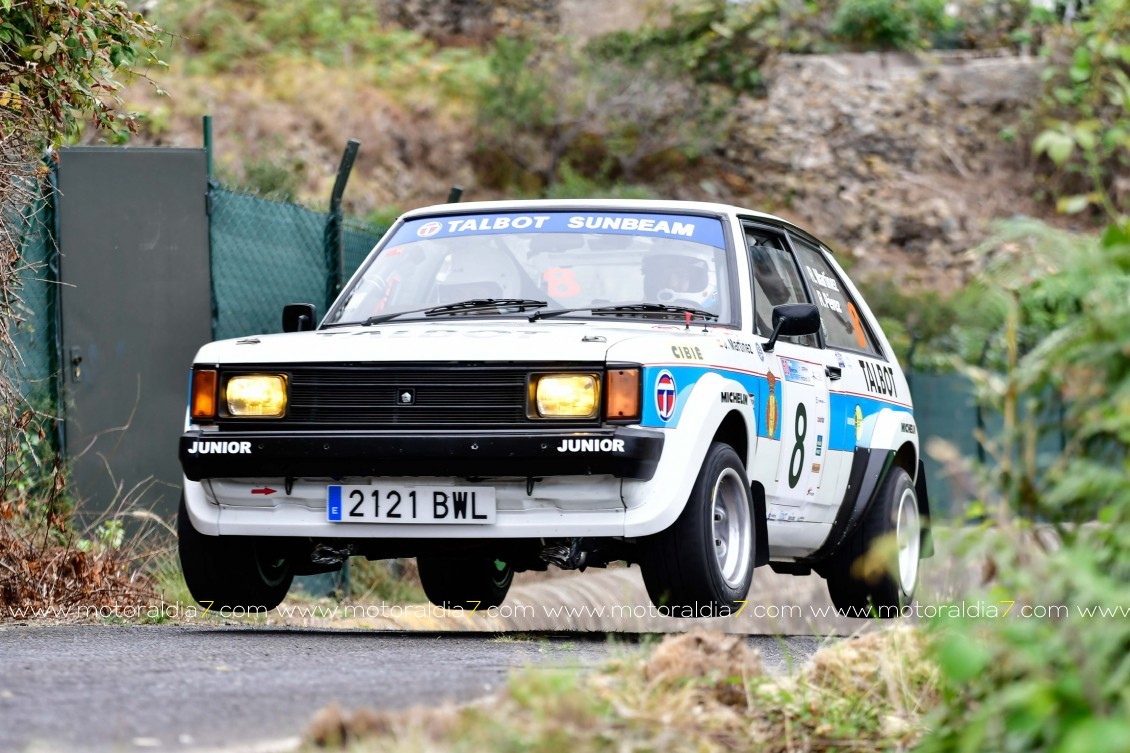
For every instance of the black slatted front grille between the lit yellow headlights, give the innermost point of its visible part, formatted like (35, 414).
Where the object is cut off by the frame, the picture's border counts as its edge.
(442, 396)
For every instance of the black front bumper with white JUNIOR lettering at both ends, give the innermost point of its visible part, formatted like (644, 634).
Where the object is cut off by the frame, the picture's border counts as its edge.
(623, 453)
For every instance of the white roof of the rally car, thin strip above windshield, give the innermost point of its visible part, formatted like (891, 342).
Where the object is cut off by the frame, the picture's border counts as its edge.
(633, 205)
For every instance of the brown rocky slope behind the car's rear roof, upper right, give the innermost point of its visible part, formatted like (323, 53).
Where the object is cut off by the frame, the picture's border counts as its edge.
(899, 160)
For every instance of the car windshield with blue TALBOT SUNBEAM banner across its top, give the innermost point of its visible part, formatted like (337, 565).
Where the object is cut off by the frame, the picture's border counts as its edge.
(491, 264)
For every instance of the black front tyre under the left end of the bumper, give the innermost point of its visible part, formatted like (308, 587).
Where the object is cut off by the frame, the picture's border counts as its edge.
(234, 573)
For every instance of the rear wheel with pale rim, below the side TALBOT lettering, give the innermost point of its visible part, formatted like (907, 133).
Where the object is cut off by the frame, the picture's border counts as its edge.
(876, 572)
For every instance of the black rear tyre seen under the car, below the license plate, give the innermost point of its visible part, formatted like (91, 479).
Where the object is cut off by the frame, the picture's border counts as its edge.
(466, 583)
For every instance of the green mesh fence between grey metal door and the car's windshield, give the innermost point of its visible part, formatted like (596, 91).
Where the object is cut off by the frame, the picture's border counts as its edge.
(267, 254)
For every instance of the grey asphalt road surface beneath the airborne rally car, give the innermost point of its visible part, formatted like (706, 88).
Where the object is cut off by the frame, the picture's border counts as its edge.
(89, 688)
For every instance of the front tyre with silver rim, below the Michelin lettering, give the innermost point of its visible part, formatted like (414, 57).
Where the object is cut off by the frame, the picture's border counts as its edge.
(706, 560)
